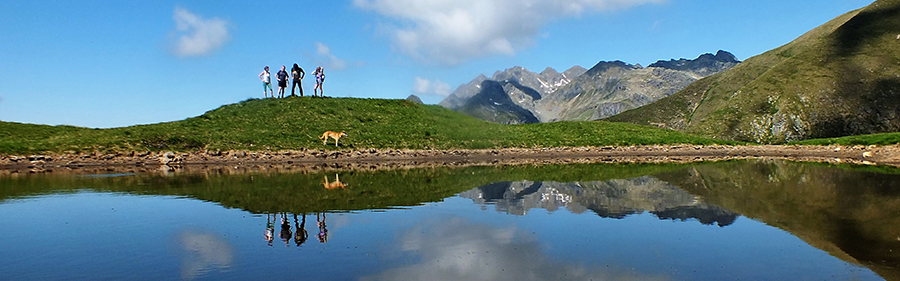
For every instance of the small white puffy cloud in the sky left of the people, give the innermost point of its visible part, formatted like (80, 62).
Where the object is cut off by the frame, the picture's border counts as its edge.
(198, 36)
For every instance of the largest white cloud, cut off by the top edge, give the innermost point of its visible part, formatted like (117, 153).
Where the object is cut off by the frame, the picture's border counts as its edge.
(452, 31)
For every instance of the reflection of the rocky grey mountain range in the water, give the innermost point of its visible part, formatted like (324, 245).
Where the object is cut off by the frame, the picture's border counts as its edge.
(609, 199)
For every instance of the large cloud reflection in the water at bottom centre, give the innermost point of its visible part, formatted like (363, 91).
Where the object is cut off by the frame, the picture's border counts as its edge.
(456, 249)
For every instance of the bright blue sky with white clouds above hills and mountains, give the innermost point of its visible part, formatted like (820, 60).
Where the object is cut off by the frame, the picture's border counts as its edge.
(119, 63)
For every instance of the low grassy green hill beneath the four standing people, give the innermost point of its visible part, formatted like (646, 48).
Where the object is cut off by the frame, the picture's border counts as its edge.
(296, 123)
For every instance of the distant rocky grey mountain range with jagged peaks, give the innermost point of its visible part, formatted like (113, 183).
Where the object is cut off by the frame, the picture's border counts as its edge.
(517, 95)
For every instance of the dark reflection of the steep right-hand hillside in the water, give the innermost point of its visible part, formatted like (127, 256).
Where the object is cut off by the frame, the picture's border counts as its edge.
(852, 213)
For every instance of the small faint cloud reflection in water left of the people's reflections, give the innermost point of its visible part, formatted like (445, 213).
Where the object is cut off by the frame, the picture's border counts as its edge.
(204, 252)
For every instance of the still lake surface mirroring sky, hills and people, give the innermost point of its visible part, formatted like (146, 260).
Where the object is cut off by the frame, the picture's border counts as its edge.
(712, 221)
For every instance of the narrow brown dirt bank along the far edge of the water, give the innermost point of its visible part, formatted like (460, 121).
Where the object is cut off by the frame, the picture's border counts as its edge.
(369, 159)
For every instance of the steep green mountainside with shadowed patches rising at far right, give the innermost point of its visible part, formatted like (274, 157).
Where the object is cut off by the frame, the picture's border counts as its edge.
(840, 79)
